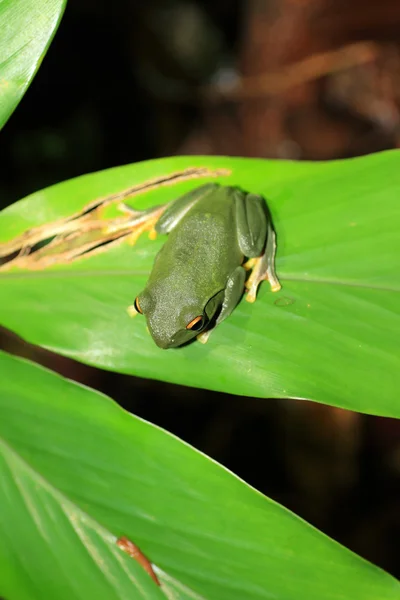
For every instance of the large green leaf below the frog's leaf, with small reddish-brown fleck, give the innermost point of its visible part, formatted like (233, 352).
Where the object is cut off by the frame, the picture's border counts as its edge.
(77, 470)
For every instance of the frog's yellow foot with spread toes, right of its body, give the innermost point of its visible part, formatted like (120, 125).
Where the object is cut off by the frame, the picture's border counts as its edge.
(263, 268)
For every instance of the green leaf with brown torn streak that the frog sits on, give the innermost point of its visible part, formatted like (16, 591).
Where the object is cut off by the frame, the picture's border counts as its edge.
(330, 334)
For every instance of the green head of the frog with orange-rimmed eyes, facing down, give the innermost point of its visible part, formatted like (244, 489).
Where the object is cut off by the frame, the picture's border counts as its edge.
(170, 327)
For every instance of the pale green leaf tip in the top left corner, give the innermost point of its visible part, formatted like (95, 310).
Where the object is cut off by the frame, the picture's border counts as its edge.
(26, 30)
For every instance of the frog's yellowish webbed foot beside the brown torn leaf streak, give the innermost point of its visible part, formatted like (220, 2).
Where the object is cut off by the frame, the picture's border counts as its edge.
(135, 222)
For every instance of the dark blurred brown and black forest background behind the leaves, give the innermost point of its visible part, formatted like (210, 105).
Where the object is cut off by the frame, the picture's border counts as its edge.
(130, 80)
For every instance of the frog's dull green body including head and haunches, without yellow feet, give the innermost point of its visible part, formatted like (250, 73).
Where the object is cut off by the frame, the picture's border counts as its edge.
(198, 271)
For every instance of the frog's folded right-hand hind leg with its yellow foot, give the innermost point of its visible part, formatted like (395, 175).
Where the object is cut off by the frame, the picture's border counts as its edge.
(257, 241)
